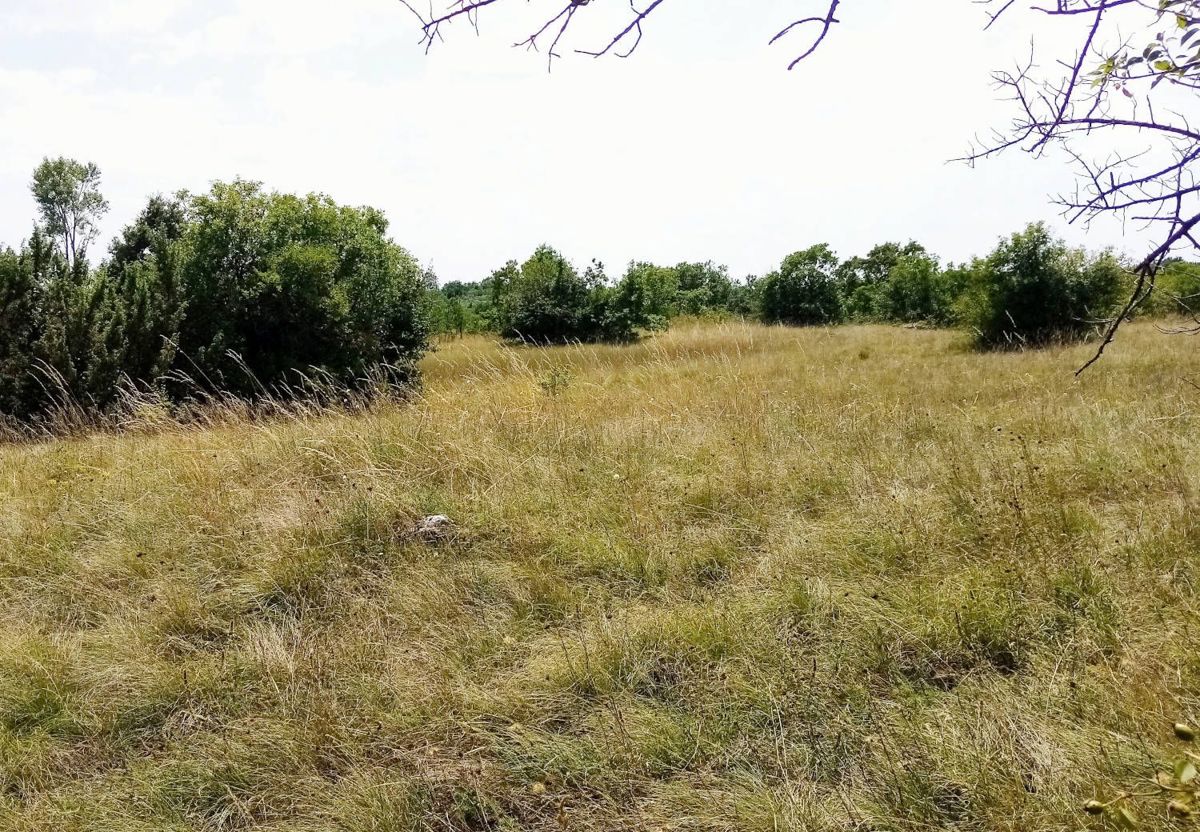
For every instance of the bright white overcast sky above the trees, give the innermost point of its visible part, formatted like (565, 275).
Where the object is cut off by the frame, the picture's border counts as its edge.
(700, 147)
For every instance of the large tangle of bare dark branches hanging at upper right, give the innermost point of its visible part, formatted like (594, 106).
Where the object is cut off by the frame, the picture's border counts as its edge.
(1109, 94)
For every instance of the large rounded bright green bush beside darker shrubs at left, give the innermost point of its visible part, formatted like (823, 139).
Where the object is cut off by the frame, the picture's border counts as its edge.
(278, 284)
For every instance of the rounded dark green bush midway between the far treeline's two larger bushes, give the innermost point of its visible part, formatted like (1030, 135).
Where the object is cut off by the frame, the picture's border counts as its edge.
(805, 291)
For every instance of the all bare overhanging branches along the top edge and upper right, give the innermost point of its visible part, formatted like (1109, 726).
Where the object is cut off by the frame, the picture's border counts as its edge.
(1107, 93)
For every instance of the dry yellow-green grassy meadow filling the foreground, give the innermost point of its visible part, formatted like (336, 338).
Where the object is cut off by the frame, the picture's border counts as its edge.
(730, 579)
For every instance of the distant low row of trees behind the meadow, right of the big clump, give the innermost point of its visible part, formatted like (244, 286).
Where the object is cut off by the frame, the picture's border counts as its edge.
(1031, 290)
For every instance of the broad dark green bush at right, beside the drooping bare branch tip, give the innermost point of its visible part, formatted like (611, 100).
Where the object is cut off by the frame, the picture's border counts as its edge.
(1034, 290)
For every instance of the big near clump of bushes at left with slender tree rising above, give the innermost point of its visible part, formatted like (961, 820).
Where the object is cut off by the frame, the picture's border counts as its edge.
(237, 291)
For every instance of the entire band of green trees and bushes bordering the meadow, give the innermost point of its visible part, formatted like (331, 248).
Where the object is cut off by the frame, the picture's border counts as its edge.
(250, 294)
